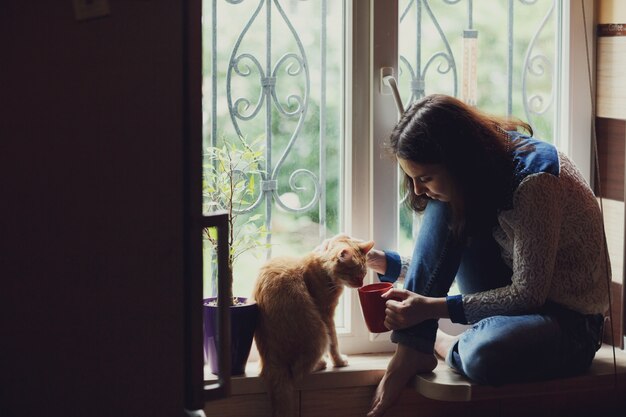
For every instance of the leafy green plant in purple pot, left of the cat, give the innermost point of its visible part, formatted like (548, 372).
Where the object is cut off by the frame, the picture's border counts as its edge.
(231, 172)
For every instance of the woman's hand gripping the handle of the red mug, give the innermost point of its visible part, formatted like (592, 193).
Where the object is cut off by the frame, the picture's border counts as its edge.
(406, 308)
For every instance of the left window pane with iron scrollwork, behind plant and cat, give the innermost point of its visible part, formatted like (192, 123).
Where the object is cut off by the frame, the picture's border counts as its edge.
(272, 71)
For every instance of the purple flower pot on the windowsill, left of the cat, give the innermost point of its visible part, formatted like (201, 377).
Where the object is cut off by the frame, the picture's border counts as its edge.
(243, 321)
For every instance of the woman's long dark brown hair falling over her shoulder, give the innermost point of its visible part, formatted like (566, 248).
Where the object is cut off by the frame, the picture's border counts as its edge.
(471, 145)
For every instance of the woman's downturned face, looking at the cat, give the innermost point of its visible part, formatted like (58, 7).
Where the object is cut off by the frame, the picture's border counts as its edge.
(430, 179)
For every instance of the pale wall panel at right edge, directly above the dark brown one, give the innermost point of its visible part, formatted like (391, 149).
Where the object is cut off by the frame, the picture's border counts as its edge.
(611, 77)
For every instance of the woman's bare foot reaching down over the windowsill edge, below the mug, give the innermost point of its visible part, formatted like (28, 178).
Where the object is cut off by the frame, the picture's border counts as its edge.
(405, 364)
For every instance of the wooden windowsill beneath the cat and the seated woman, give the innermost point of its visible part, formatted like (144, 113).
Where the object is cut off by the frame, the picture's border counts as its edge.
(443, 383)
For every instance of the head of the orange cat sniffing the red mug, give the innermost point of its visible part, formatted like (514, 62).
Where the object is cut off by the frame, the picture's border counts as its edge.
(348, 258)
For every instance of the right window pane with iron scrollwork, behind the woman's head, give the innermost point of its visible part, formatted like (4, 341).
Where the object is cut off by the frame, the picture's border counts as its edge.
(499, 55)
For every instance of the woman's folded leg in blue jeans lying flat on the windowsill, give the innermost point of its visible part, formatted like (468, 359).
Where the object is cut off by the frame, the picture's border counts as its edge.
(504, 349)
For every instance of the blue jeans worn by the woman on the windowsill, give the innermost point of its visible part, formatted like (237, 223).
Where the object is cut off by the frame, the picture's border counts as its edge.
(543, 344)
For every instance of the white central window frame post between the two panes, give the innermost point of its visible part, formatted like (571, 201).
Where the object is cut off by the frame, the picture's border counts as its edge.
(364, 170)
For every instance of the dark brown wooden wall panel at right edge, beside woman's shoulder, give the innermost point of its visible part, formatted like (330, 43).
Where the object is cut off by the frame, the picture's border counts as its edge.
(611, 134)
